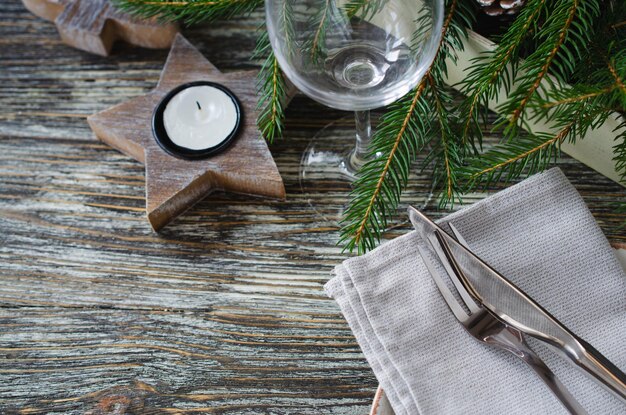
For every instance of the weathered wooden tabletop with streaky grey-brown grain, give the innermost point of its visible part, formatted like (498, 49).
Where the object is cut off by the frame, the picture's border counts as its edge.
(223, 311)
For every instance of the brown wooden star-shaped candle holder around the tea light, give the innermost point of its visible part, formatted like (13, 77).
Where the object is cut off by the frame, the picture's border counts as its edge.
(174, 184)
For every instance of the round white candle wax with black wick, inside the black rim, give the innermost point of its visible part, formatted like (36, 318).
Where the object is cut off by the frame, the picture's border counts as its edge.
(200, 117)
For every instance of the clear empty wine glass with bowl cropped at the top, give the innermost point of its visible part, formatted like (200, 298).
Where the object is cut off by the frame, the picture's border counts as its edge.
(353, 55)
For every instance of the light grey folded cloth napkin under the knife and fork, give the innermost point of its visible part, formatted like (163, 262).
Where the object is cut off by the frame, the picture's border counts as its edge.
(539, 234)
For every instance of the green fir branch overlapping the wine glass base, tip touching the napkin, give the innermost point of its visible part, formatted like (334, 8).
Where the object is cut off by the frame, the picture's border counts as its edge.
(403, 131)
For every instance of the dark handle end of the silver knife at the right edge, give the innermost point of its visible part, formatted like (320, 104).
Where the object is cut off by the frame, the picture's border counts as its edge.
(601, 368)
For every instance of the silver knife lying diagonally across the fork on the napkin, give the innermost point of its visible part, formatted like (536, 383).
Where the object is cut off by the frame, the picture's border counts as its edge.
(512, 305)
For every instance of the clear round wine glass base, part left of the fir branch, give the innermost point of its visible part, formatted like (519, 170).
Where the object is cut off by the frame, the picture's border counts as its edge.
(325, 178)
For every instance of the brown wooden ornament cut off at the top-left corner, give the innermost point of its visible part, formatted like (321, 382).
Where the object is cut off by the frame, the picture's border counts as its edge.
(94, 25)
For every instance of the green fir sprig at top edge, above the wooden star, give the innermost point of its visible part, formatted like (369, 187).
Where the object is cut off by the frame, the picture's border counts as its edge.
(189, 11)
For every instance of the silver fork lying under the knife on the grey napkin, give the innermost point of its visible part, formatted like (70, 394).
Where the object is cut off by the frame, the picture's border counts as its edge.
(486, 327)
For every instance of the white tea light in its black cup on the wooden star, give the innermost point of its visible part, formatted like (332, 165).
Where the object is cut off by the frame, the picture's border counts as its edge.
(196, 120)
